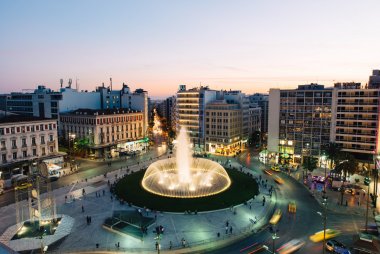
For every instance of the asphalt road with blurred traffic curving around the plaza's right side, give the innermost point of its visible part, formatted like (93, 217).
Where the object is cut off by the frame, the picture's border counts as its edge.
(301, 225)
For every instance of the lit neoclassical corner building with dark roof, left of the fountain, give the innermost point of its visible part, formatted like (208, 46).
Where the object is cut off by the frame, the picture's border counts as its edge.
(108, 131)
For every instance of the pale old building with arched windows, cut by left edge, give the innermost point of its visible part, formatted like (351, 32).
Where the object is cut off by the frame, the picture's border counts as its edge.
(26, 138)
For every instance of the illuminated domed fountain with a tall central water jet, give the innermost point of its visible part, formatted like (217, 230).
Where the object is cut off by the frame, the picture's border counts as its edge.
(184, 176)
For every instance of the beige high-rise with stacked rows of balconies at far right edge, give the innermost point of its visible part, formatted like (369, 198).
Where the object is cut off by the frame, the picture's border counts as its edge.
(356, 119)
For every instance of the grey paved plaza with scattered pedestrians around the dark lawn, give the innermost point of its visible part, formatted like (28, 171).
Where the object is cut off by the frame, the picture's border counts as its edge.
(202, 230)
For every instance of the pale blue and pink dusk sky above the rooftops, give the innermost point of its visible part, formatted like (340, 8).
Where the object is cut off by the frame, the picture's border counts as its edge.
(156, 45)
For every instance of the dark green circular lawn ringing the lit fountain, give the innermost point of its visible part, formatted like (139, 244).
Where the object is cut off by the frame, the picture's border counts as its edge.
(243, 187)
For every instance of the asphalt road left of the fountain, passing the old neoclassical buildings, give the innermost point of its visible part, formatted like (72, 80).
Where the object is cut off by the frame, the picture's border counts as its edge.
(89, 169)
